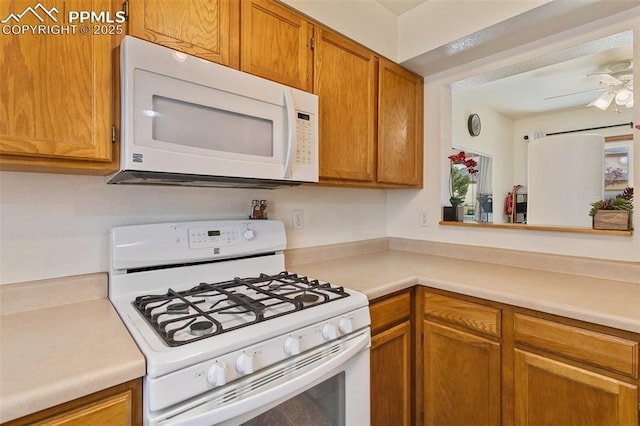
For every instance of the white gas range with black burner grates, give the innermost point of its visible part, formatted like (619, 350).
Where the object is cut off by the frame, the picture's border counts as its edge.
(229, 336)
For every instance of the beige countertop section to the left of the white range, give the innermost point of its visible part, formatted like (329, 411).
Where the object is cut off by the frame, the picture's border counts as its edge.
(60, 340)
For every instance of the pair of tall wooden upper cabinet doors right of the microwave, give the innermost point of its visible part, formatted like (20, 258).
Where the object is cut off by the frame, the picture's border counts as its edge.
(371, 125)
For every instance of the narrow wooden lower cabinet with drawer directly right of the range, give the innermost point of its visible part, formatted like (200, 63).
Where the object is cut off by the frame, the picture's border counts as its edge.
(391, 360)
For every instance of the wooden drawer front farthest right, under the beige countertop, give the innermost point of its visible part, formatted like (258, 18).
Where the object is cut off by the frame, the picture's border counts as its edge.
(590, 347)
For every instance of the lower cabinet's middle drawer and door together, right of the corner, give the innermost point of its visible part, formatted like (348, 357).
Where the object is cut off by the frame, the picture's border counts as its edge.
(461, 361)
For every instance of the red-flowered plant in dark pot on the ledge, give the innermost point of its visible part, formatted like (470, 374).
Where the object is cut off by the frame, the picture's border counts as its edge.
(461, 169)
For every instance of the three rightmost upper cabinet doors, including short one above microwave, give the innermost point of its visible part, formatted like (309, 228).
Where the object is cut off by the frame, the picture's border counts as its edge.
(370, 124)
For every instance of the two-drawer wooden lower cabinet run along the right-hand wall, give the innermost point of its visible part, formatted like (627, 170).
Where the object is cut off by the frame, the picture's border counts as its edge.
(481, 362)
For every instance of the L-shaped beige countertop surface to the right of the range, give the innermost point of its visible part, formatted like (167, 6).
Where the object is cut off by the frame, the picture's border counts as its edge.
(596, 300)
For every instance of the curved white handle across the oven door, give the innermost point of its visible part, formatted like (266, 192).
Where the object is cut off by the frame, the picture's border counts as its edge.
(272, 396)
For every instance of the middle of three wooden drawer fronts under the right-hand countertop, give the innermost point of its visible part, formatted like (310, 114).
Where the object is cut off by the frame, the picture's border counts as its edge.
(480, 318)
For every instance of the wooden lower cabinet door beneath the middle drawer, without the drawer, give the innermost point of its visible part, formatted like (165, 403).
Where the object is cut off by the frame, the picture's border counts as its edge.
(461, 378)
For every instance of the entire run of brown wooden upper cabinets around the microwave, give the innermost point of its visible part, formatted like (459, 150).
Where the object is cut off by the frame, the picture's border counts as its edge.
(60, 97)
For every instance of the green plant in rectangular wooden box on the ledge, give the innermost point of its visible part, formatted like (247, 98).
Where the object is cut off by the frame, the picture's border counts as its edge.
(613, 213)
